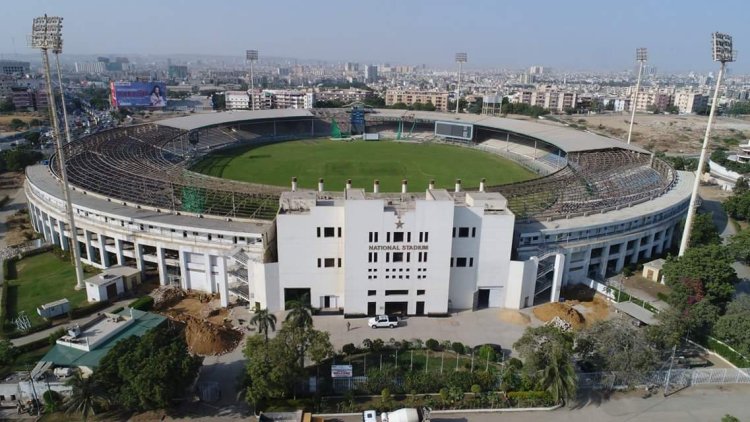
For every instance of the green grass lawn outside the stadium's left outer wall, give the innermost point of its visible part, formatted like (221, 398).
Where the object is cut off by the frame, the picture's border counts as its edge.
(42, 279)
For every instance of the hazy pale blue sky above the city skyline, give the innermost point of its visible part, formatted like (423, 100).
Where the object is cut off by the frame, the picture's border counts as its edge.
(592, 35)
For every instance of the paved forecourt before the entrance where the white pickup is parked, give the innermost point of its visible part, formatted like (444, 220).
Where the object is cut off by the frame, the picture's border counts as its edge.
(471, 328)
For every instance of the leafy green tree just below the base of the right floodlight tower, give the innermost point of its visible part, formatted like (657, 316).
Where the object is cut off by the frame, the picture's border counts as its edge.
(711, 265)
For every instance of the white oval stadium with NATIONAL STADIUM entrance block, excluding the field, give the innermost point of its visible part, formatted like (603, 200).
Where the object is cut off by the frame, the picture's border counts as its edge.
(597, 206)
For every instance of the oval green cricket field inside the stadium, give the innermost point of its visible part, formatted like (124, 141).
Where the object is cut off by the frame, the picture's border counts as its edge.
(363, 162)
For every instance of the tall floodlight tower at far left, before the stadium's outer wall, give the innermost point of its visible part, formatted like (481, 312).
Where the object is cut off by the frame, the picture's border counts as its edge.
(46, 34)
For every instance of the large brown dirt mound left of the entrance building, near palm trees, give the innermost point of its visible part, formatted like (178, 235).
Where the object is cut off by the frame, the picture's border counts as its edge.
(205, 338)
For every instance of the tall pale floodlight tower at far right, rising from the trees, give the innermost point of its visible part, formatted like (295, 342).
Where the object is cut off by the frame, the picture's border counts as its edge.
(723, 53)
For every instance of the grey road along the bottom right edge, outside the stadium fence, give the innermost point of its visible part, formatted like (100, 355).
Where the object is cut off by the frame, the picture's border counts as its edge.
(699, 404)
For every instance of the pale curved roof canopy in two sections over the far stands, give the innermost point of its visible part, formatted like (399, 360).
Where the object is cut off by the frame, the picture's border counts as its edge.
(565, 138)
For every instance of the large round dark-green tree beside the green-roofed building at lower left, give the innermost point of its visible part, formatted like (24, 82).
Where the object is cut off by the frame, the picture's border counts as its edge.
(148, 372)
